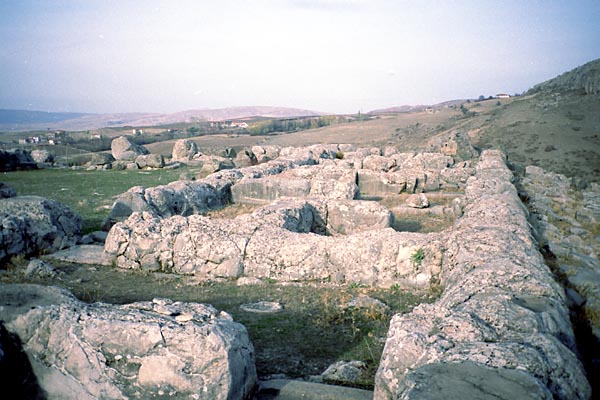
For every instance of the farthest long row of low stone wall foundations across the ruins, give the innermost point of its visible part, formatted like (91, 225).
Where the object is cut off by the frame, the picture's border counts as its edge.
(295, 173)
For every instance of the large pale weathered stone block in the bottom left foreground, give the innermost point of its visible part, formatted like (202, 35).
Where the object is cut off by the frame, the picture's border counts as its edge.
(139, 350)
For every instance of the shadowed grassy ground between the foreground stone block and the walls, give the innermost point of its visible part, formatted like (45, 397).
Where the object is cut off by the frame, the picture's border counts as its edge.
(313, 331)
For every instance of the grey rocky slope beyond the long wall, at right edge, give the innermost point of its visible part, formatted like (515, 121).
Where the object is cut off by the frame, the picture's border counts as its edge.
(566, 222)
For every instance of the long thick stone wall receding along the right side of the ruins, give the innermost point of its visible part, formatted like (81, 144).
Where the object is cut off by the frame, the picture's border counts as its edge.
(501, 328)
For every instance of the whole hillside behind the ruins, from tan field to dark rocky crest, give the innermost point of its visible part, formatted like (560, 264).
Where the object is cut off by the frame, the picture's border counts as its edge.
(555, 125)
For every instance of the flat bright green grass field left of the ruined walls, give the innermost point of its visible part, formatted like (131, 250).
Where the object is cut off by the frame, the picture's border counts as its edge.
(89, 193)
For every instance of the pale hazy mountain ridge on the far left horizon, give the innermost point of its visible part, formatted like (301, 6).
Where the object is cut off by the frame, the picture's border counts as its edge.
(23, 120)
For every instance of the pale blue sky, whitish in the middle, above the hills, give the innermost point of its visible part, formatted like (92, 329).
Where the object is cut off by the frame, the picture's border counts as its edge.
(332, 55)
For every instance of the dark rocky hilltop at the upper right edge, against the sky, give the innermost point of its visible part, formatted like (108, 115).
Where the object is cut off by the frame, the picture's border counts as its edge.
(585, 79)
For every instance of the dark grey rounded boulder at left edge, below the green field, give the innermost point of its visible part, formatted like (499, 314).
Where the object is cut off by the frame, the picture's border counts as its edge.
(31, 224)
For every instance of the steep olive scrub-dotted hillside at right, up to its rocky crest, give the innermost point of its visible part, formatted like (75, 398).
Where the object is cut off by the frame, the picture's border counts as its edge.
(555, 125)
